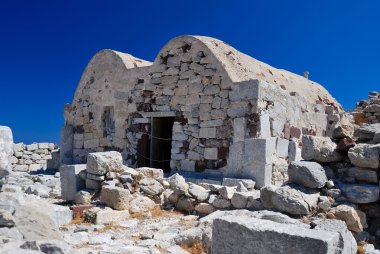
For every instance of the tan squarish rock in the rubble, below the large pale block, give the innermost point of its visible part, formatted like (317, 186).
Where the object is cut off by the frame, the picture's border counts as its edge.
(115, 197)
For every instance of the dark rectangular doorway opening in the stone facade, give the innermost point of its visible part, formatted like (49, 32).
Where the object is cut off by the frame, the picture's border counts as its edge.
(161, 142)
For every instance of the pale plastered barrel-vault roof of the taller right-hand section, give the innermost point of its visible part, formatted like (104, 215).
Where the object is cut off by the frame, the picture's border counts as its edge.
(241, 67)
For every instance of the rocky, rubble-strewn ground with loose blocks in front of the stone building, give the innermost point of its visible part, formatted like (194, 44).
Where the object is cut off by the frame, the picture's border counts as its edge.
(330, 204)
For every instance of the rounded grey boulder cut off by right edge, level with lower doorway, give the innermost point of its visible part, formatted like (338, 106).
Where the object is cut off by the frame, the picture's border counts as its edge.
(365, 155)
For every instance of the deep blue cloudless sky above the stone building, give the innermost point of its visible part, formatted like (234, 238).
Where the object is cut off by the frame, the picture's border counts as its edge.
(45, 46)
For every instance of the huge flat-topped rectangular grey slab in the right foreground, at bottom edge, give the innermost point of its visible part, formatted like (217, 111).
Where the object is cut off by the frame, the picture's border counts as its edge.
(231, 234)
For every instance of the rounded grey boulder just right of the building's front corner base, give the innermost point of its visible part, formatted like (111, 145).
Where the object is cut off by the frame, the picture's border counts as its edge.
(308, 174)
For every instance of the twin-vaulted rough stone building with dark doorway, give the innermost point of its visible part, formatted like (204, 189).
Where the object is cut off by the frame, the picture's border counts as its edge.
(221, 108)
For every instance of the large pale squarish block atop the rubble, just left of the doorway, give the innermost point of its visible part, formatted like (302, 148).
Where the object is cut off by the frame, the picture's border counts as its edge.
(102, 162)
